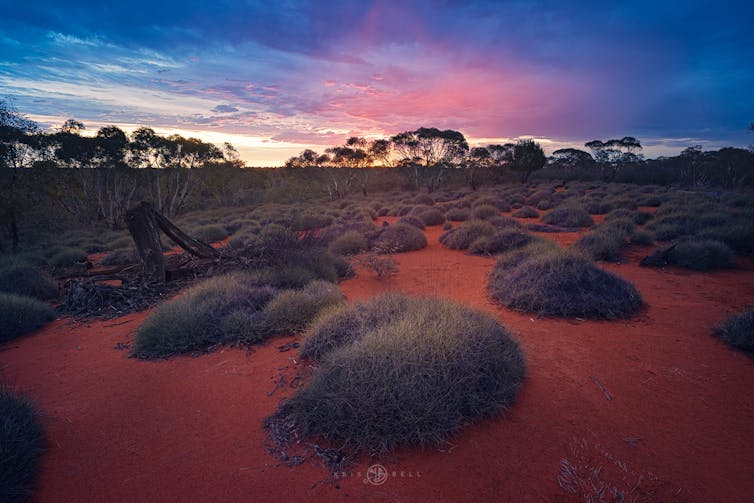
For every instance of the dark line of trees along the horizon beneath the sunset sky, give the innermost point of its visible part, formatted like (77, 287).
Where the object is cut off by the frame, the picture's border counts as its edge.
(96, 178)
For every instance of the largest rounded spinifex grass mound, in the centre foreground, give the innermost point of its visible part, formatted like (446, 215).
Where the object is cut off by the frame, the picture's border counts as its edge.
(399, 370)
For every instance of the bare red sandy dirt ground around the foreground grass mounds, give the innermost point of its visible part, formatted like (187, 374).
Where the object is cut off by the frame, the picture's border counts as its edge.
(682, 416)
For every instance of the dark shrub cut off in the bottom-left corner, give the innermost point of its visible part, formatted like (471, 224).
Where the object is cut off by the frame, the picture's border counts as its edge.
(22, 444)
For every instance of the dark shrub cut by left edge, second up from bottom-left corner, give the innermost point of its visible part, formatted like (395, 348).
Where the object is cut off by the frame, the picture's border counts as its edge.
(20, 315)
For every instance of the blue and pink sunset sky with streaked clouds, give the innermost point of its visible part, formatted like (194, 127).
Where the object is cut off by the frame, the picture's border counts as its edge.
(276, 77)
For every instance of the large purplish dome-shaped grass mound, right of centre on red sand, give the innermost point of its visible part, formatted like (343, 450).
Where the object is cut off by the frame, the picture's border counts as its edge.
(559, 283)
